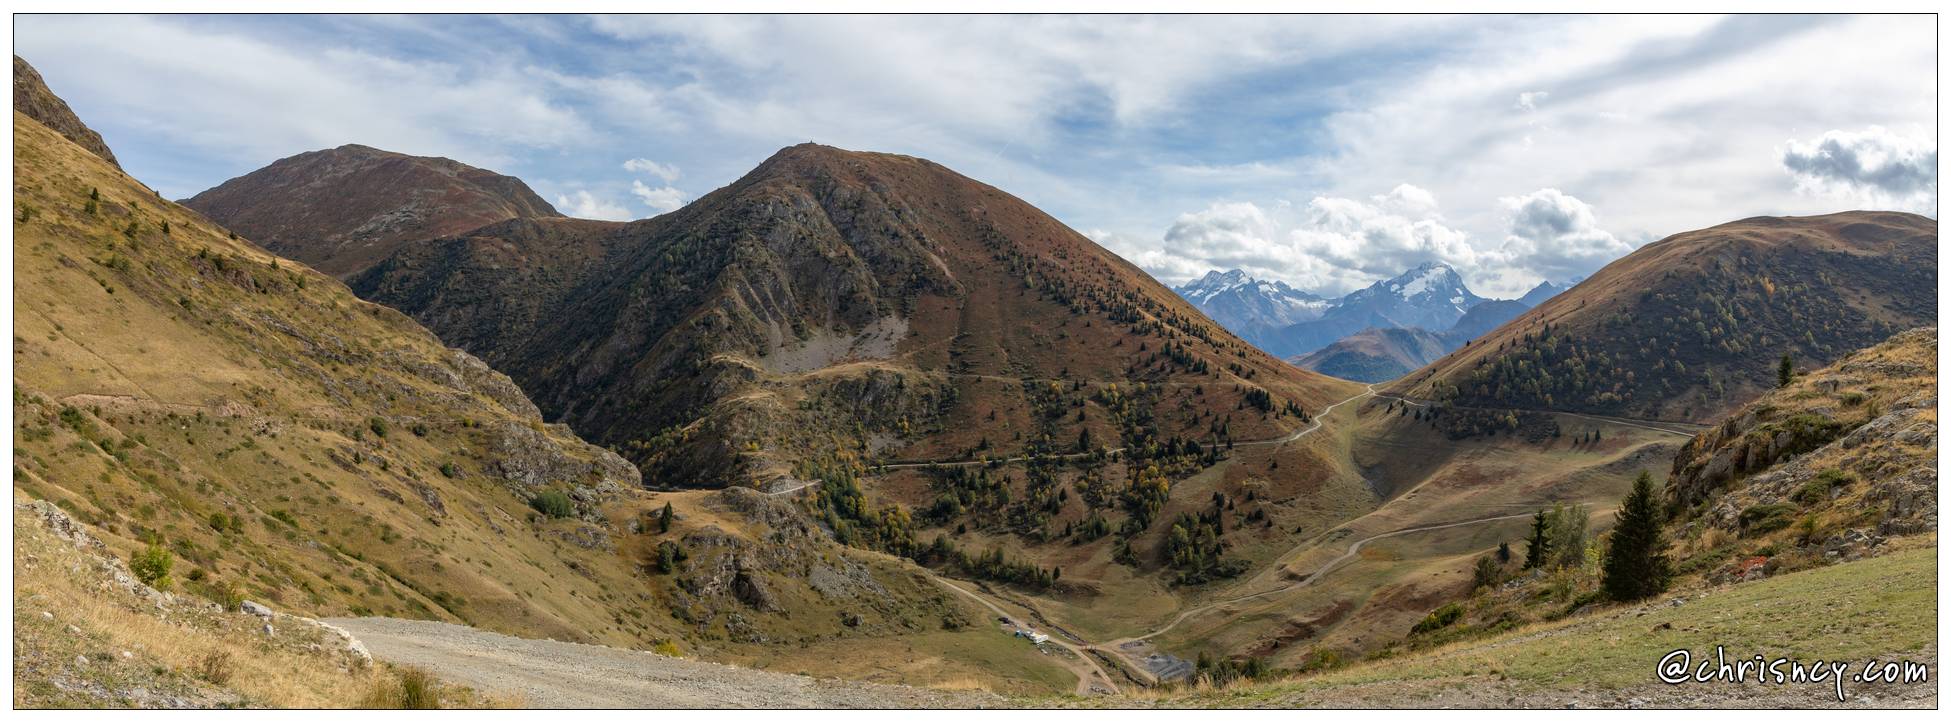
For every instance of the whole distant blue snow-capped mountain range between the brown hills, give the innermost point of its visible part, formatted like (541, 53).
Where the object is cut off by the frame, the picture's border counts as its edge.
(1308, 328)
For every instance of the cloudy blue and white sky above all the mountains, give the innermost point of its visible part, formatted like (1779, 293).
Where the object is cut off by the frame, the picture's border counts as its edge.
(1322, 151)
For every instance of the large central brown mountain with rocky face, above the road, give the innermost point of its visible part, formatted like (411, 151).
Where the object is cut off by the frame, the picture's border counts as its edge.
(834, 303)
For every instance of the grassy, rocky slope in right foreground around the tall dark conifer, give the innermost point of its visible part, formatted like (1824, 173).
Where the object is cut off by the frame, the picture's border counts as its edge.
(1802, 525)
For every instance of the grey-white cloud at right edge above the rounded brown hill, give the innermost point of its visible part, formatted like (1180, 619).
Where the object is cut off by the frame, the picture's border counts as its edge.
(1872, 167)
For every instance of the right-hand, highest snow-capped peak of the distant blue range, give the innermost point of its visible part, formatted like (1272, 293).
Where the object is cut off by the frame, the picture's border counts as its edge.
(1431, 297)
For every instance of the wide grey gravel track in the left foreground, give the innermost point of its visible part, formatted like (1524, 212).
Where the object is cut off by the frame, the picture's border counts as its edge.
(573, 675)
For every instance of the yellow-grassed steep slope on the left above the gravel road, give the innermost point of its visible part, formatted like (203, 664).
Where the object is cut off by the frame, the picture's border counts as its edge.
(290, 443)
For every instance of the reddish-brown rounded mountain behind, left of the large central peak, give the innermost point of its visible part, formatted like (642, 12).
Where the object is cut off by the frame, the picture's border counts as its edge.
(342, 209)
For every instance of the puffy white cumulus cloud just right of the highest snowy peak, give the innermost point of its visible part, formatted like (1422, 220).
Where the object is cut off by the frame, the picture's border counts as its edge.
(1556, 237)
